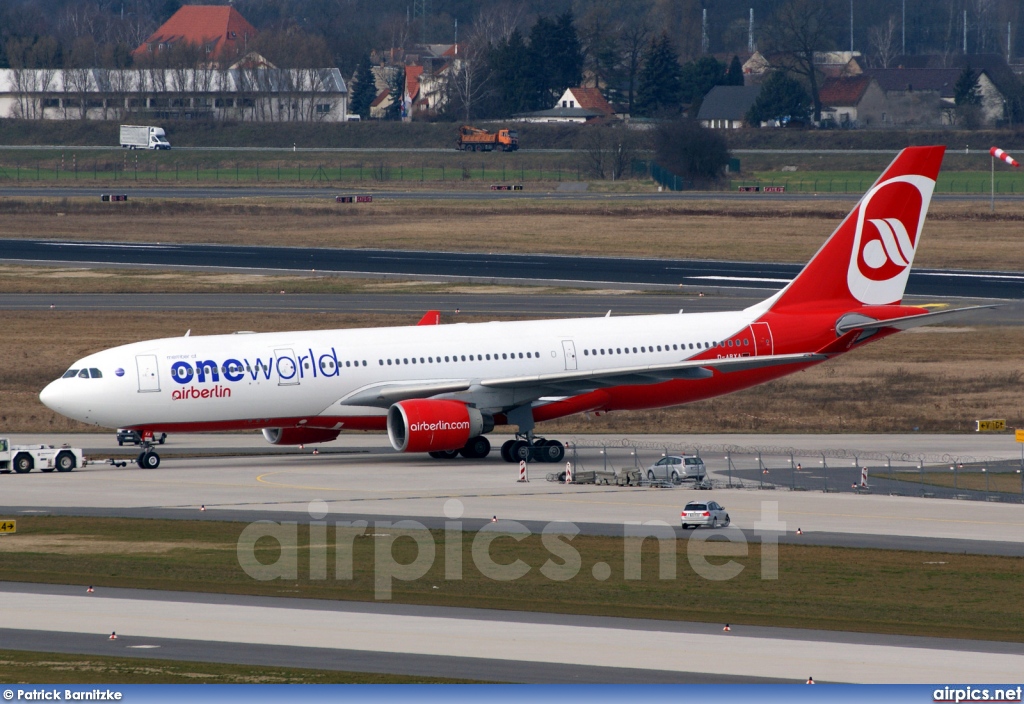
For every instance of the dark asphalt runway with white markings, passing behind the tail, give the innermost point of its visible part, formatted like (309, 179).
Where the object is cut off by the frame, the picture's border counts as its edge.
(486, 268)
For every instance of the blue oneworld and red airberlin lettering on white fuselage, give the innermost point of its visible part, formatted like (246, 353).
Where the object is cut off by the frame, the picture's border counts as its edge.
(233, 371)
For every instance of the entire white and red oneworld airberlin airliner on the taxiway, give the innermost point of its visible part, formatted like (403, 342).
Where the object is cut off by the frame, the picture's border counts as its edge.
(441, 388)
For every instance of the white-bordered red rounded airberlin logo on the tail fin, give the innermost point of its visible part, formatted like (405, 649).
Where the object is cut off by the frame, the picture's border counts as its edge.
(889, 223)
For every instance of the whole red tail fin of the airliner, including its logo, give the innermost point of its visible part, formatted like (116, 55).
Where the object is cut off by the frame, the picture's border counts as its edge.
(868, 259)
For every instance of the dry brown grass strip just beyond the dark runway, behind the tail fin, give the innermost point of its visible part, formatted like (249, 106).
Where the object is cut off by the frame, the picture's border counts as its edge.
(958, 235)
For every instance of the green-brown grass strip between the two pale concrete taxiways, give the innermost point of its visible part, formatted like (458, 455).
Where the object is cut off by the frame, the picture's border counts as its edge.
(819, 588)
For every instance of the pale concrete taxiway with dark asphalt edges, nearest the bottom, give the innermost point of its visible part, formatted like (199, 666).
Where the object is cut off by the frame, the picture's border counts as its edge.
(484, 645)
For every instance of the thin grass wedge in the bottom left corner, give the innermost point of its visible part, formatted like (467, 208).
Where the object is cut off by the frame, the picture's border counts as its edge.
(19, 668)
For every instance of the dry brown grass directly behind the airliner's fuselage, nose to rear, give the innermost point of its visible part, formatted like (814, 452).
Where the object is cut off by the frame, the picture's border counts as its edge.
(933, 382)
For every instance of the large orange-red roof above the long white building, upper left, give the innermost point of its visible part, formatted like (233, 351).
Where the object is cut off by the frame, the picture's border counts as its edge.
(220, 30)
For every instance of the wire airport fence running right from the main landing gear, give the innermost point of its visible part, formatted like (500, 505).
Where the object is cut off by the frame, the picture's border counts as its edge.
(787, 469)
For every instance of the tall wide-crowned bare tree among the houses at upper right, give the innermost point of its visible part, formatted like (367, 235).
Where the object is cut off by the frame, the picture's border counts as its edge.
(798, 30)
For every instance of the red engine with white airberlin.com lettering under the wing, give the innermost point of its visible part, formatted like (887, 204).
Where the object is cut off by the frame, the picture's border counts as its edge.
(431, 426)
